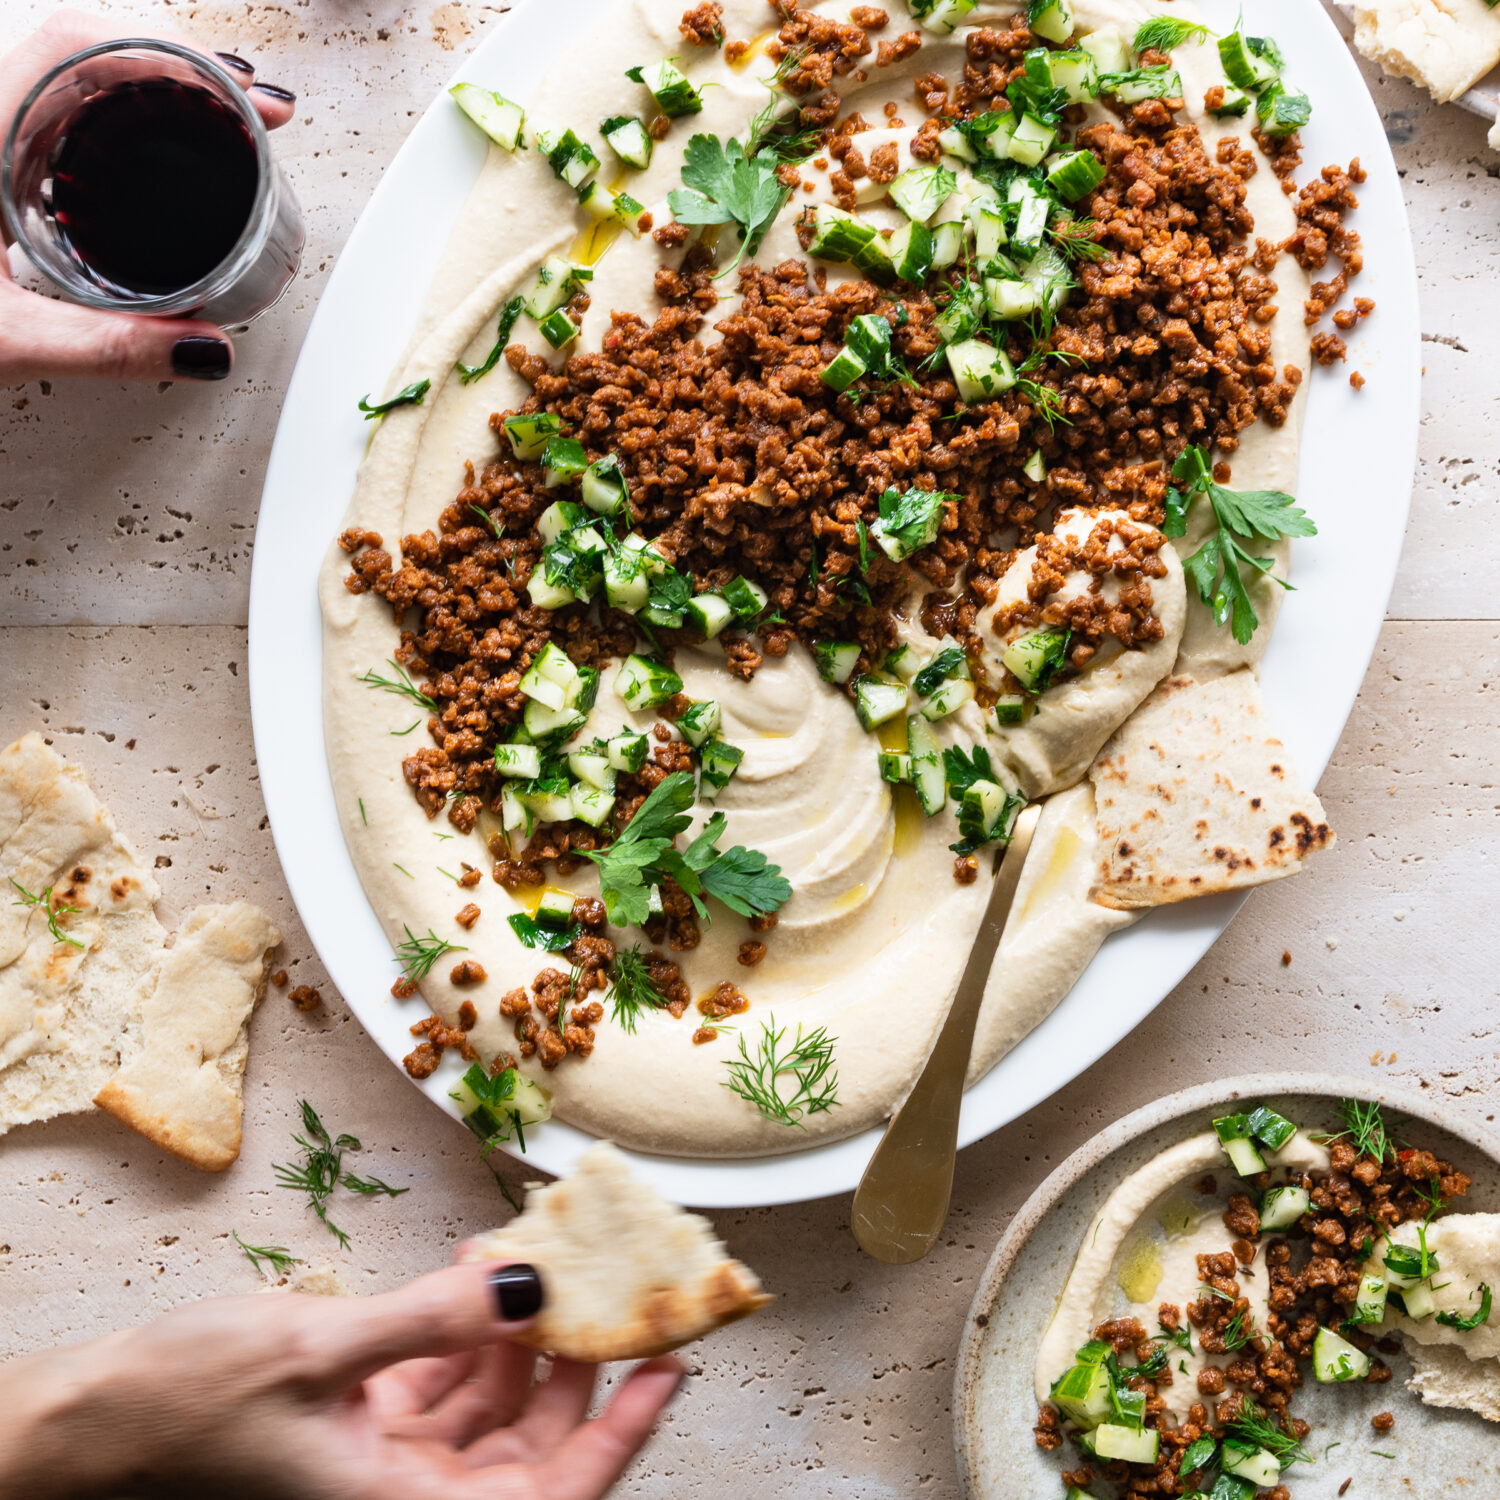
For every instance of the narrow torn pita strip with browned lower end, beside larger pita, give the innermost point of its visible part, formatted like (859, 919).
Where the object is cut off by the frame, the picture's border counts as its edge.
(184, 1087)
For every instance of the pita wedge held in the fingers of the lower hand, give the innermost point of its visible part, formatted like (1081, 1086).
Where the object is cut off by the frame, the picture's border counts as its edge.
(626, 1274)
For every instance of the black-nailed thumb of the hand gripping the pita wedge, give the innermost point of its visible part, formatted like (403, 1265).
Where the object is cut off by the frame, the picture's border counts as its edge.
(448, 1313)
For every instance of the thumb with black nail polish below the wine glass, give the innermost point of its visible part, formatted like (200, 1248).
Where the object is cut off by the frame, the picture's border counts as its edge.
(43, 338)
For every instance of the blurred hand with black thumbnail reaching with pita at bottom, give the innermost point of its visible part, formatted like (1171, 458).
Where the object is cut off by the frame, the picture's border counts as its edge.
(412, 1396)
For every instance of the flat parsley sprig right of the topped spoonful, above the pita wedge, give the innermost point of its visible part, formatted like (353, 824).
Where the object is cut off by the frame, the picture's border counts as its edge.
(1241, 514)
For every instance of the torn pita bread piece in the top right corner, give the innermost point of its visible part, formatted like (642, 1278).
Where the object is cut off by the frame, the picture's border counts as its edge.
(1445, 46)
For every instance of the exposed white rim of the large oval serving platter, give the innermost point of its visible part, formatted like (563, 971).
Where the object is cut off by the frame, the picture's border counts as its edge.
(1355, 479)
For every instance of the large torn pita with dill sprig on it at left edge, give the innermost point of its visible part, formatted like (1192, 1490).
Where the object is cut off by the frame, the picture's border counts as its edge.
(67, 1001)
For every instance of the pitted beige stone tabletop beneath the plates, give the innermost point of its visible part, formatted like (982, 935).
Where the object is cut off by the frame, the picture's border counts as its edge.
(127, 524)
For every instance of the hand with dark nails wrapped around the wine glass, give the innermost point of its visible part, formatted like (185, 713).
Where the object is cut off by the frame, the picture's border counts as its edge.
(41, 337)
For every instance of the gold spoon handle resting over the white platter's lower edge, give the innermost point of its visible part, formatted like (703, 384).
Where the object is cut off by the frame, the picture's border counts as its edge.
(902, 1201)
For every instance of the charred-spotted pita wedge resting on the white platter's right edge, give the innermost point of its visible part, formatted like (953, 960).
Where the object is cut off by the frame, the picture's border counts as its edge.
(1196, 796)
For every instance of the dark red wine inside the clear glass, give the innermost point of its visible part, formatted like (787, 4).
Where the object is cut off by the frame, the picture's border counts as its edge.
(154, 184)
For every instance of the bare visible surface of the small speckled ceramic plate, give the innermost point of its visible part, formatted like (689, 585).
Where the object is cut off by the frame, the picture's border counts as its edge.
(1435, 1453)
